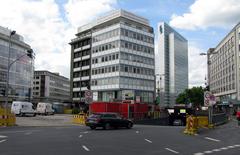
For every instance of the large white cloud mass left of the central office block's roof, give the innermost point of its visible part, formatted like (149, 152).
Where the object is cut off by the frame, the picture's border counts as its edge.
(46, 31)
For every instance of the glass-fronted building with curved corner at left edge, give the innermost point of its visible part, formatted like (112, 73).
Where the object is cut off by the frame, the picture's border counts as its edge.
(21, 72)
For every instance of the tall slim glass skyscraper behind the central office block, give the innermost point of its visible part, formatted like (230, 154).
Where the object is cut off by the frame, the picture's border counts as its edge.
(171, 64)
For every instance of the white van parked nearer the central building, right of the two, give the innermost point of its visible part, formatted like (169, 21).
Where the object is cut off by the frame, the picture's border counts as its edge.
(45, 108)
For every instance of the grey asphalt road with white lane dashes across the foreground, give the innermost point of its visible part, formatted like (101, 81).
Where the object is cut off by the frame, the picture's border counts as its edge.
(140, 140)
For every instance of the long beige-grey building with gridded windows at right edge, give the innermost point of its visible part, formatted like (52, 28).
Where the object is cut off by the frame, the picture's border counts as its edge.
(224, 67)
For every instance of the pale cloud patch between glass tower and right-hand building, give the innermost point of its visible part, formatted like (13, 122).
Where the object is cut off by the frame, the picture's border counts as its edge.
(197, 66)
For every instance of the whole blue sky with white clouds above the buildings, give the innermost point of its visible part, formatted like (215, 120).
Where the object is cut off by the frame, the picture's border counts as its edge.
(49, 25)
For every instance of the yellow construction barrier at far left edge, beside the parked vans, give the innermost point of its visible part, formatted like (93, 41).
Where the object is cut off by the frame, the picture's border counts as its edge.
(7, 120)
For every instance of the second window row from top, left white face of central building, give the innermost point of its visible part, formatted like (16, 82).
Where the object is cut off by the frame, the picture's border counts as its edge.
(107, 46)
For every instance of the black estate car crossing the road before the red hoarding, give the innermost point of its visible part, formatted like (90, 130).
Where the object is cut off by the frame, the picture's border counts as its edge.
(107, 120)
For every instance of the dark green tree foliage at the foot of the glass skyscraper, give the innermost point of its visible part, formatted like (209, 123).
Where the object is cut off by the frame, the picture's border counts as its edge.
(193, 96)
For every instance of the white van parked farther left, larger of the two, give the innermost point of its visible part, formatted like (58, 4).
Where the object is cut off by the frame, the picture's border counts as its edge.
(23, 108)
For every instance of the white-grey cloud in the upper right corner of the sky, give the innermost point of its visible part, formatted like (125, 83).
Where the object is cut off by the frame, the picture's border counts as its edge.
(208, 13)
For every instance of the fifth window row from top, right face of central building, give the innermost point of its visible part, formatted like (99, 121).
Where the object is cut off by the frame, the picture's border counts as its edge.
(136, 70)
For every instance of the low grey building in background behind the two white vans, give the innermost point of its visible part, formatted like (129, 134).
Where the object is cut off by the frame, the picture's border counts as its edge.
(50, 87)
